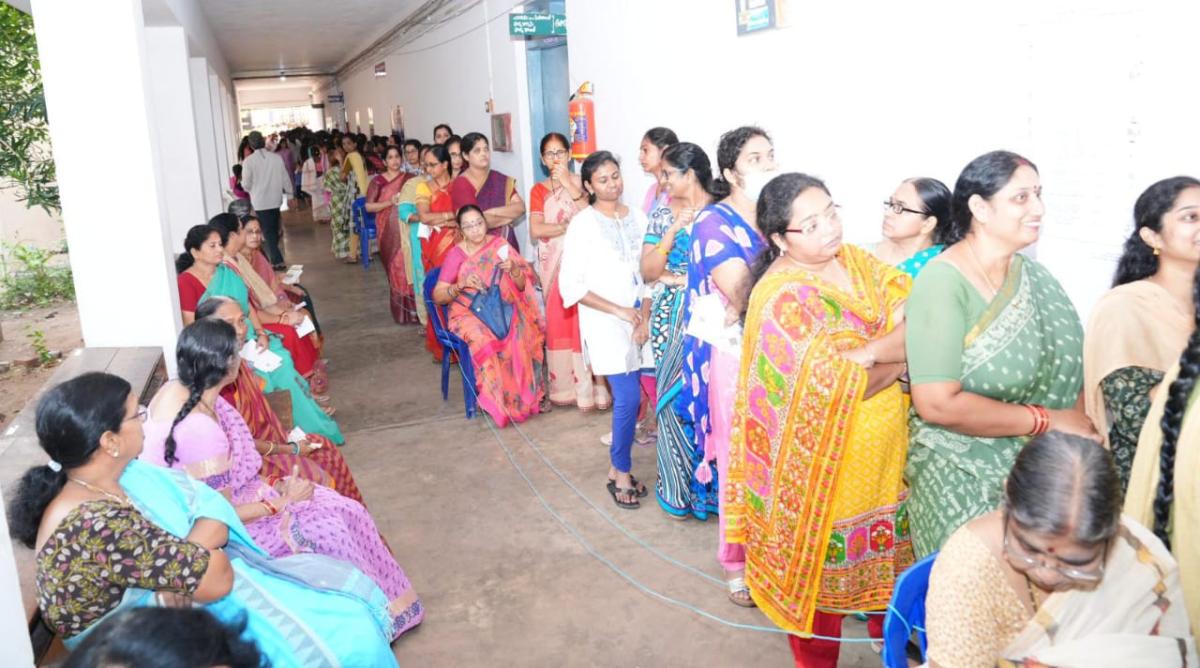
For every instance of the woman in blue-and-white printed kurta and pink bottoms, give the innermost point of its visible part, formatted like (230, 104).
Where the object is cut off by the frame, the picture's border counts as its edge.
(725, 243)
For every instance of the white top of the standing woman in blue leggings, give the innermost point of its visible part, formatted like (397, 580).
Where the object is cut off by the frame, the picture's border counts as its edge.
(604, 256)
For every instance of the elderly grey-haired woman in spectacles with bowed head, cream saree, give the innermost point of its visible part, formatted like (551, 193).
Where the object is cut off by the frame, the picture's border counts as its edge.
(1057, 576)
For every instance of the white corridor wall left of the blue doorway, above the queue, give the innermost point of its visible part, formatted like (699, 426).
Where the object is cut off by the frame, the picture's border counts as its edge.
(451, 83)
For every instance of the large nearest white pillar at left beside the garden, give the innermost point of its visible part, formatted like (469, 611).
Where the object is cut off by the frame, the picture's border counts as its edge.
(97, 80)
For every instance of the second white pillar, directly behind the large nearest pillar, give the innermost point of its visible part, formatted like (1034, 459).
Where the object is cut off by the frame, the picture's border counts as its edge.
(176, 124)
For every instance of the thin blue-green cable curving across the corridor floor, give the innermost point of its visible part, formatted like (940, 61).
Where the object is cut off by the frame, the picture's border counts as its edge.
(599, 557)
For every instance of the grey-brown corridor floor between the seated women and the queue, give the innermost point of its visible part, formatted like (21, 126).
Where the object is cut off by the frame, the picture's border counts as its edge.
(505, 583)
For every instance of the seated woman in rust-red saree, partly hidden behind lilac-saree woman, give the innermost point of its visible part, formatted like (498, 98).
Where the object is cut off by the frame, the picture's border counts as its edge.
(315, 458)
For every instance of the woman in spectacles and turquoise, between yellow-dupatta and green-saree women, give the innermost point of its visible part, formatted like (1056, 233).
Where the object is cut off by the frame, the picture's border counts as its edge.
(916, 222)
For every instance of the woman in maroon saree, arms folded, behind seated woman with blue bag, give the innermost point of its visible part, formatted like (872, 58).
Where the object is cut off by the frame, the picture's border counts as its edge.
(494, 192)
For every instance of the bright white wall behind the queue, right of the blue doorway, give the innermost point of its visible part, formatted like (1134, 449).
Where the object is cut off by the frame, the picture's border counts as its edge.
(1097, 93)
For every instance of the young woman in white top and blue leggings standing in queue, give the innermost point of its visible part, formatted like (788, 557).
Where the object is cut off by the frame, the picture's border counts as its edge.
(602, 273)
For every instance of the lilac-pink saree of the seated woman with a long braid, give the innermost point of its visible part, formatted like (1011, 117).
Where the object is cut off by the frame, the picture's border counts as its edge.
(221, 454)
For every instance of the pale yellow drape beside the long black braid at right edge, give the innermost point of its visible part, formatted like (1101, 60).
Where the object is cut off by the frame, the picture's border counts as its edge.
(1185, 513)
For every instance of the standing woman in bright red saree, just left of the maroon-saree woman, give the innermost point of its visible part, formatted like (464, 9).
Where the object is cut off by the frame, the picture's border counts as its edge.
(435, 210)
